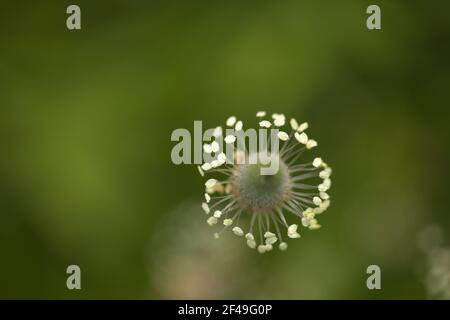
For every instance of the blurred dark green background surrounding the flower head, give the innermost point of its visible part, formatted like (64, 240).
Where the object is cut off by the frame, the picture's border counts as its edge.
(85, 123)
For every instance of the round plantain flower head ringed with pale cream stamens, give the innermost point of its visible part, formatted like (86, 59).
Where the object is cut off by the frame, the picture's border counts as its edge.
(265, 209)
